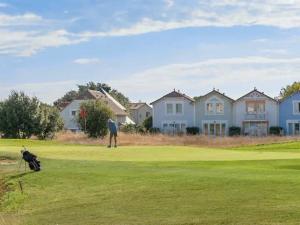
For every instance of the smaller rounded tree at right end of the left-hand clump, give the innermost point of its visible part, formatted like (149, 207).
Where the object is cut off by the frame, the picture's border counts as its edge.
(48, 122)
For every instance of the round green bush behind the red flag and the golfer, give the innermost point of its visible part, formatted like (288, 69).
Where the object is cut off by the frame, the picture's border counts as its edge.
(95, 120)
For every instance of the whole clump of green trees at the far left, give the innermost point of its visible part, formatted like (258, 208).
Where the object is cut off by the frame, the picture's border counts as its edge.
(22, 116)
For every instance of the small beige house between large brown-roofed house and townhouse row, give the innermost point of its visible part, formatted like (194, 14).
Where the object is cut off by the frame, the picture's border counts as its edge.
(139, 112)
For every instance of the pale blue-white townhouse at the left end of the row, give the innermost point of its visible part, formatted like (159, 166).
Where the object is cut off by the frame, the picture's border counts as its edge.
(173, 112)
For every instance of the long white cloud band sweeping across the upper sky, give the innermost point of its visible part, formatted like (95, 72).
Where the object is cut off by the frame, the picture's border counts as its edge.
(26, 34)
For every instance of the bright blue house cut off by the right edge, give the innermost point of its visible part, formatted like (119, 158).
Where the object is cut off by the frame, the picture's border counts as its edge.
(289, 114)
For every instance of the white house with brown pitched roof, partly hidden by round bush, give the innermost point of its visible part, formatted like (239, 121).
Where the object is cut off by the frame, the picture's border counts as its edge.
(71, 111)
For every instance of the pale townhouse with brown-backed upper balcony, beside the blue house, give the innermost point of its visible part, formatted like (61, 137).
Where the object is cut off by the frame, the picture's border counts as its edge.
(255, 113)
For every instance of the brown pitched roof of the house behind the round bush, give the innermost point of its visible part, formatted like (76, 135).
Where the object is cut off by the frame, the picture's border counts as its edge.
(102, 95)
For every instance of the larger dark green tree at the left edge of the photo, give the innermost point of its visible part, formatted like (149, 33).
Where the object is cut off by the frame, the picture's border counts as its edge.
(18, 116)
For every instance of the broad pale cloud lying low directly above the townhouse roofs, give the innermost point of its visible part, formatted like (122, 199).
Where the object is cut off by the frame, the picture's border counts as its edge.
(228, 74)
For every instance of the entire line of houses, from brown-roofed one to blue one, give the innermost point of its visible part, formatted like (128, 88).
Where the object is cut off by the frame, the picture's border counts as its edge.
(213, 113)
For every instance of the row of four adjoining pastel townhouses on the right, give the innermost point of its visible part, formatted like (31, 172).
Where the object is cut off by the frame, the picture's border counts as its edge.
(214, 113)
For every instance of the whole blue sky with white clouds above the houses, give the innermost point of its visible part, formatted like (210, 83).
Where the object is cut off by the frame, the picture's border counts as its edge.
(146, 48)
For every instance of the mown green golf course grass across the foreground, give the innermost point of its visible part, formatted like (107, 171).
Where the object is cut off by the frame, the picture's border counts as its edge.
(91, 185)
